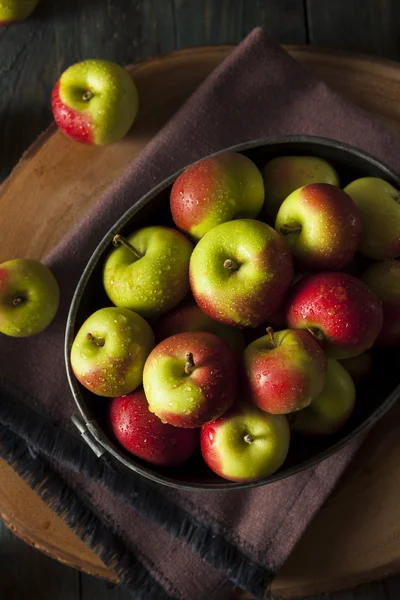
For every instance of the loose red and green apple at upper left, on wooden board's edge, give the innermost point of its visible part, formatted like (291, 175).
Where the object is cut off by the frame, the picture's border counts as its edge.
(95, 102)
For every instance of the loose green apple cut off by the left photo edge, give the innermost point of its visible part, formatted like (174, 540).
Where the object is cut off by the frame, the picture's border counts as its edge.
(29, 297)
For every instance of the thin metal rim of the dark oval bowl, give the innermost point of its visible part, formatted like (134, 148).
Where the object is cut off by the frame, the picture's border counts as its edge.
(91, 424)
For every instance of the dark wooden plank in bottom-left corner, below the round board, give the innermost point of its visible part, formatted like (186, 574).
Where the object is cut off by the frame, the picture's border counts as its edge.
(28, 574)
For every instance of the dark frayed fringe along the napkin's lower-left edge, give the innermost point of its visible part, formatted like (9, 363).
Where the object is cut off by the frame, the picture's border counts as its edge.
(24, 434)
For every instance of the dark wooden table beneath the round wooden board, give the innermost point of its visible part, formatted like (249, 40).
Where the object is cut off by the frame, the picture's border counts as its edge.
(33, 54)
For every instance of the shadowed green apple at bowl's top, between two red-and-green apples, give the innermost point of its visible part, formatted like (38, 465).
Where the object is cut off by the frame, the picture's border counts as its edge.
(285, 174)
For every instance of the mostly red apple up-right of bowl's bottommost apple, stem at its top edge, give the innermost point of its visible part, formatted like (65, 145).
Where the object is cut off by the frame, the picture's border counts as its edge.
(285, 370)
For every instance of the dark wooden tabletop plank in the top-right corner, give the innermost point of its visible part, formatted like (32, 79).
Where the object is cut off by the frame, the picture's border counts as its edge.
(371, 27)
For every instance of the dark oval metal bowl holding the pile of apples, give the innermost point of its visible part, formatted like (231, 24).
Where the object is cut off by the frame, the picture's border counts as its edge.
(375, 396)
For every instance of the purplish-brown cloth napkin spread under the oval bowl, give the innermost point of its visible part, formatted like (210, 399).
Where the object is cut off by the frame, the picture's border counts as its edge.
(168, 544)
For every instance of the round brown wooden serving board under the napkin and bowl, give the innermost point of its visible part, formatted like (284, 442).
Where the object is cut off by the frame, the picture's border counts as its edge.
(355, 537)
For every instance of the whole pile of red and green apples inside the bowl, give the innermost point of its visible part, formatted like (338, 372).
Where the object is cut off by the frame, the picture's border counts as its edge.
(226, 278)
